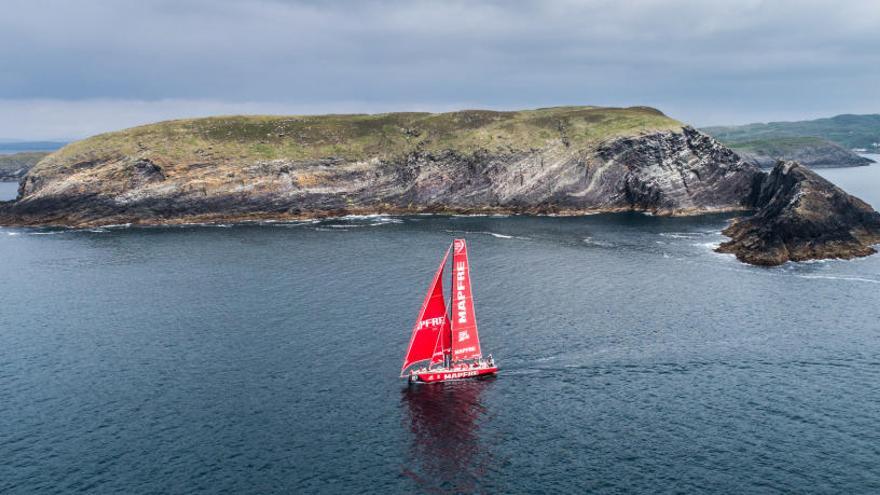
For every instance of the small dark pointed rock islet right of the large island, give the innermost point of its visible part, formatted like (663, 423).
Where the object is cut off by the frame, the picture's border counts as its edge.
(801, 216)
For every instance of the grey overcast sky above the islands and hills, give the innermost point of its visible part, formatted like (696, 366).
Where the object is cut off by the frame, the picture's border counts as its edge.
(69, 69)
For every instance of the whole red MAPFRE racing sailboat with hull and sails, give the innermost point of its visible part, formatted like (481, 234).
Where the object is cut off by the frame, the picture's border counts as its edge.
(445, 346)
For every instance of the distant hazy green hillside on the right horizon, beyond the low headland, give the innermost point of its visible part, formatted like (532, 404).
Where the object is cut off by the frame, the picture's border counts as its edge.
(849, 131)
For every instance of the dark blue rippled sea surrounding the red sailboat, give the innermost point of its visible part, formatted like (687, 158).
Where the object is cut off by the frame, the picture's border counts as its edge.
(264, 358)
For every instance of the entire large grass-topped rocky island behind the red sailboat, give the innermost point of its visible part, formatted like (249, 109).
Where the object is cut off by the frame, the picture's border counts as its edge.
(569, 160)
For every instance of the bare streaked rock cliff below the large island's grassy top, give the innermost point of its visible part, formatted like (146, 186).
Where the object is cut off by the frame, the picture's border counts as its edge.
(668, 172)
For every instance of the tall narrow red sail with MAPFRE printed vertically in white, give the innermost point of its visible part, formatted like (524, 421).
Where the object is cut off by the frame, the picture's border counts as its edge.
(465, 340)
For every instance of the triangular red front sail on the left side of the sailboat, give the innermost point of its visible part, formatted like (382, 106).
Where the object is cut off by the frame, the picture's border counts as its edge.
(431, 322)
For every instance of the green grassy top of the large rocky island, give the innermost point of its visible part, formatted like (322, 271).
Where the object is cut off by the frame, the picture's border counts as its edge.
(352, 137)
